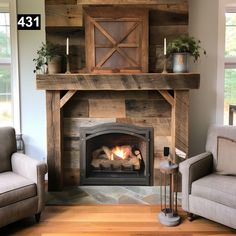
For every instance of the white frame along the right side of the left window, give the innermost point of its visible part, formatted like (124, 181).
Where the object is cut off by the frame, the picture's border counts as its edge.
(10, 6)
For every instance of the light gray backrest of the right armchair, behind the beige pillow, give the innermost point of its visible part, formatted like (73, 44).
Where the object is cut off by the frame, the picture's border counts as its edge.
(214, 132)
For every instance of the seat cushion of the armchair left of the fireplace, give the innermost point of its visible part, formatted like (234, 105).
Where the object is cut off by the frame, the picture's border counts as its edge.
(14, 188)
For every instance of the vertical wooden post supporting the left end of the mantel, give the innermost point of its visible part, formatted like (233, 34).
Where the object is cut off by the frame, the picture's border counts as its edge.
(54, 141)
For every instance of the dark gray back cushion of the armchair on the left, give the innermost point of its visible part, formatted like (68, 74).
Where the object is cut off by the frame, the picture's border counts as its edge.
(7, 147)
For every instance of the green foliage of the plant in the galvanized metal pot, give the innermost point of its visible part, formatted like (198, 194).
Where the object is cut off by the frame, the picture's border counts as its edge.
(186, 44)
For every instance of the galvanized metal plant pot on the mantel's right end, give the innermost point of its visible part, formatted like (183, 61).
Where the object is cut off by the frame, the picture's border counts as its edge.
(180, 62)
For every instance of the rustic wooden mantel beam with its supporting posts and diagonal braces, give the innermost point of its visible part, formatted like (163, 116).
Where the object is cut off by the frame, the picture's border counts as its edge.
(179, 84)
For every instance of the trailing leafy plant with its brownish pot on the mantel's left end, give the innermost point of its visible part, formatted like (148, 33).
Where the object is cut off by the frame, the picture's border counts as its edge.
(48, 59)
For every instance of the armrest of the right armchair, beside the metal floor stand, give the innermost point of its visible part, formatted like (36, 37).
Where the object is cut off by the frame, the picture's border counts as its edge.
(192, 169)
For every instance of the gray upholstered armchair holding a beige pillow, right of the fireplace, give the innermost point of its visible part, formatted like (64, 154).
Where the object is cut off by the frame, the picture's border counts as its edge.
(209, 179)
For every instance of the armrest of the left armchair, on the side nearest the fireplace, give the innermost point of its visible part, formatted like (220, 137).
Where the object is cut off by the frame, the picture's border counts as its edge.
(32, 169)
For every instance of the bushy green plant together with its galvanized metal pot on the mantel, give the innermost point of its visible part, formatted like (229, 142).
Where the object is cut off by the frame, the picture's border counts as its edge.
(181, 49)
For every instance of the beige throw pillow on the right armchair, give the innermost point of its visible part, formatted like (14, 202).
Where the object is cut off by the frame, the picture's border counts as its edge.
(226, 156)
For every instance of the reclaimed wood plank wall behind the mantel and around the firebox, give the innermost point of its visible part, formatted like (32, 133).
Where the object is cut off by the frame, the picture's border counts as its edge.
(147, 108)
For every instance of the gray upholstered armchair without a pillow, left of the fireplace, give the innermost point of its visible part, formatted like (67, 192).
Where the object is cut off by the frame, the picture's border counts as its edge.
(22, 188)
